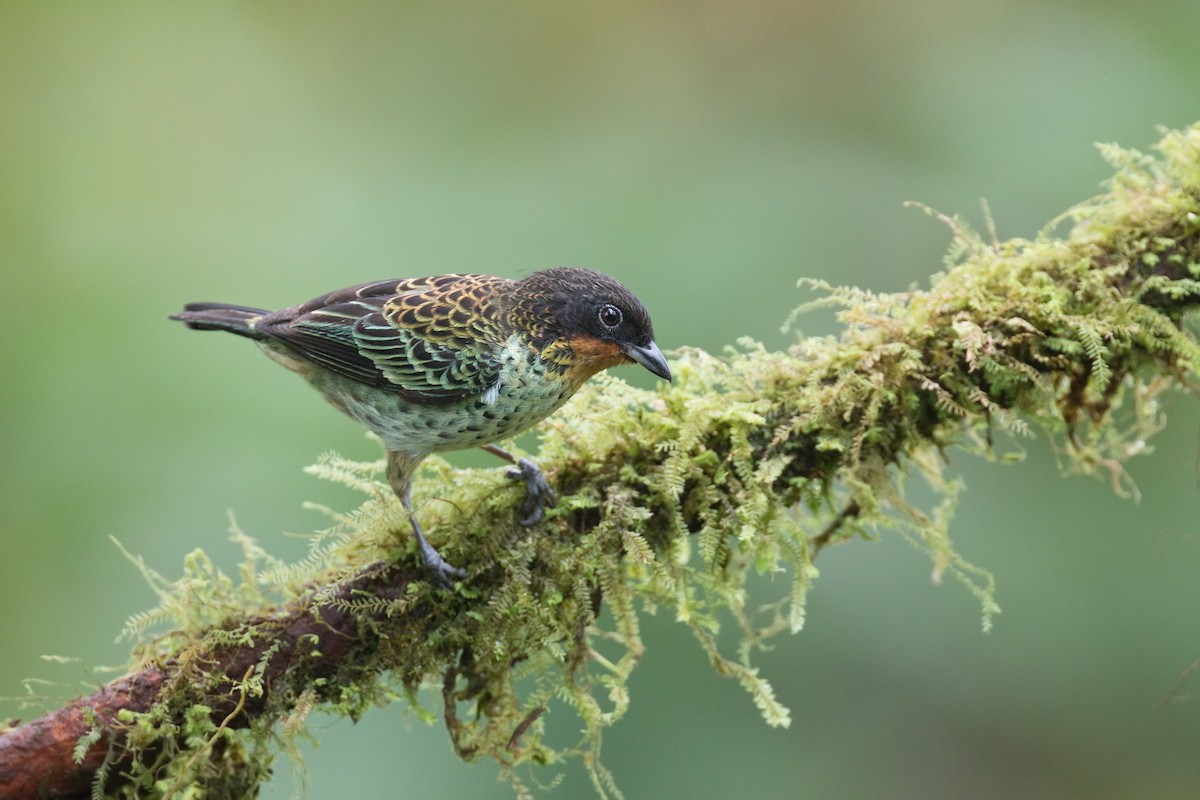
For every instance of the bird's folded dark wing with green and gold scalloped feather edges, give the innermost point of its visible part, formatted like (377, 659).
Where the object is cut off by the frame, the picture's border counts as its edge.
(431, 340)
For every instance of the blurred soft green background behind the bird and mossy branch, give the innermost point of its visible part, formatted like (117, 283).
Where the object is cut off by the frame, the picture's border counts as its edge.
(709, 154)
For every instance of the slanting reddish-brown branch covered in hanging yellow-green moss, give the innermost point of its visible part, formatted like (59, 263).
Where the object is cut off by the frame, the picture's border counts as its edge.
(753, 462)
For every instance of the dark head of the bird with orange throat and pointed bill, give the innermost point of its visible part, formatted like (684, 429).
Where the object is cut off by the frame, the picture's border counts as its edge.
(585, 322)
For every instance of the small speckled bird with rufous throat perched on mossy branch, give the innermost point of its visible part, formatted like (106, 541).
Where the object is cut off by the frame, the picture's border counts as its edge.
(452, 362)
